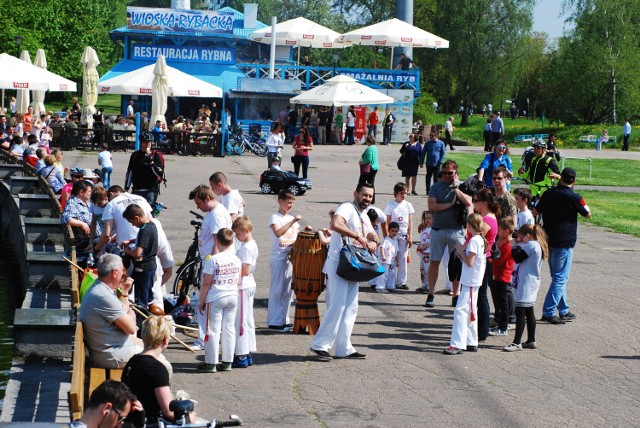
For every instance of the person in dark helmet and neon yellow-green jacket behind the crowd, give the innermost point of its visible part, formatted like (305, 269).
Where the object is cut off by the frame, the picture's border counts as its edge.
(539, 169)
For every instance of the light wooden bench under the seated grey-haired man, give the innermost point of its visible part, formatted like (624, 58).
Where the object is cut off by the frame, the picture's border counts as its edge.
(78, 393)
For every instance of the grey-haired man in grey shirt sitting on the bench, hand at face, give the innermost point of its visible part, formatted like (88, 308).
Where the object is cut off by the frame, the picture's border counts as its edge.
(109, 324)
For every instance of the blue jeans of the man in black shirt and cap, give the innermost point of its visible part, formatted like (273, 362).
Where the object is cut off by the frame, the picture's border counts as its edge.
(560, 267)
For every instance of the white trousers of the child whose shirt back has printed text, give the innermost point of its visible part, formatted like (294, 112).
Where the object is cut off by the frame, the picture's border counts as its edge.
(222, 322)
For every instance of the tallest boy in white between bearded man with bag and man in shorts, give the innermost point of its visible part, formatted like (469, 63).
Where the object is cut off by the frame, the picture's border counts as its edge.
(401, 211)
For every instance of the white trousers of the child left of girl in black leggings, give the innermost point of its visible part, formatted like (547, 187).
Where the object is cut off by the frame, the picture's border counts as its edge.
(464, 331)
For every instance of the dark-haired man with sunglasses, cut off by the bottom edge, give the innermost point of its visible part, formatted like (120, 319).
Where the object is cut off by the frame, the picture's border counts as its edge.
(108, 406)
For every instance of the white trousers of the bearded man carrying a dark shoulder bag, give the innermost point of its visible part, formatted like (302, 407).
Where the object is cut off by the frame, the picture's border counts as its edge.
(342, 308)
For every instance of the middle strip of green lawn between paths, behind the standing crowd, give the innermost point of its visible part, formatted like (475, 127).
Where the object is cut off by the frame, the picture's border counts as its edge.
(605, 172)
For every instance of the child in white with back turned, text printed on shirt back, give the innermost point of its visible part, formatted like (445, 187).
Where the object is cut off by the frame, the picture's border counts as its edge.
(218, 302)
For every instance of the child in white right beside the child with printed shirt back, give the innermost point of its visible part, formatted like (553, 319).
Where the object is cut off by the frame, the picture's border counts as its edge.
(245, 323)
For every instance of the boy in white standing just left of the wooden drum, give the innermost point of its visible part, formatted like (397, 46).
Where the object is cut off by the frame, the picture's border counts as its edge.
(284, 232)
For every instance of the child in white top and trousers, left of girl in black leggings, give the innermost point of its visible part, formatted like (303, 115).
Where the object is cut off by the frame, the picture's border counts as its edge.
(464, 333)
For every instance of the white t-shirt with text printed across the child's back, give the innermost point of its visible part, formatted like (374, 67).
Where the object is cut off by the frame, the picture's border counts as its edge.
(225, 268)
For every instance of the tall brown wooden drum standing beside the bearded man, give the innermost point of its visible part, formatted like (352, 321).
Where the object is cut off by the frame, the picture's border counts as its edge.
(307, 256)
